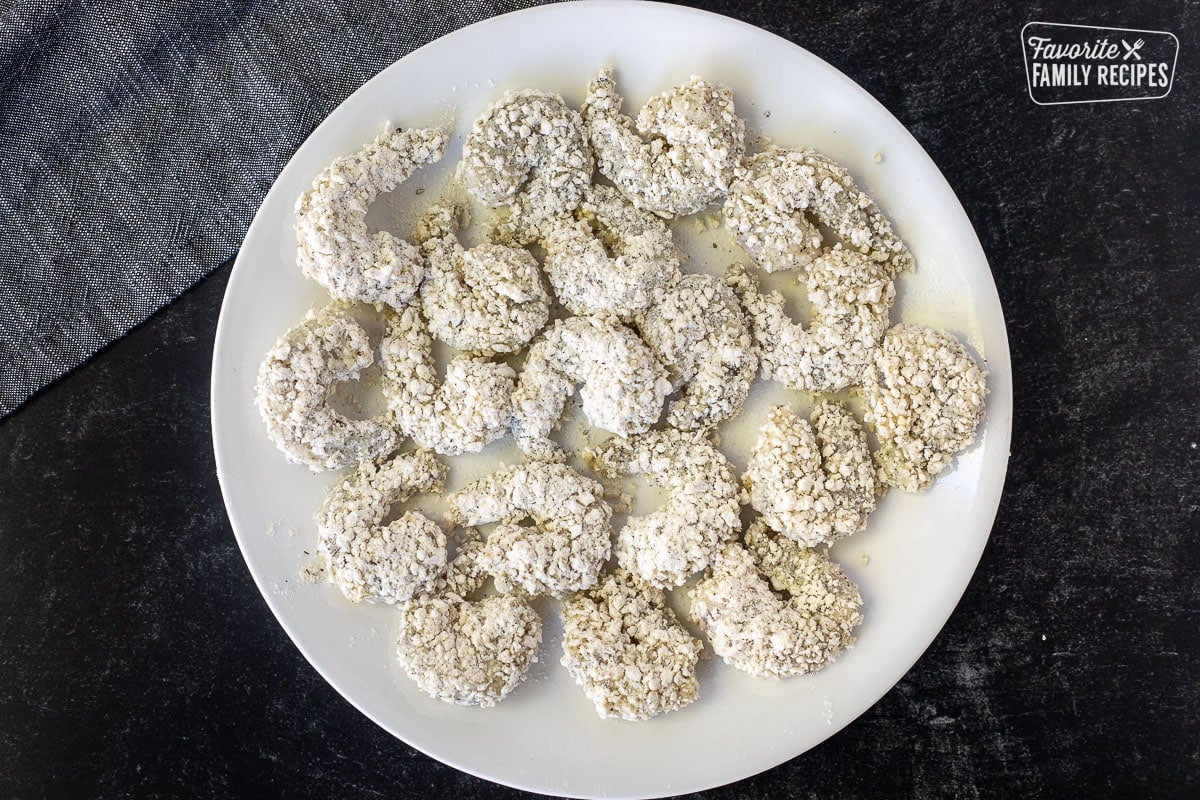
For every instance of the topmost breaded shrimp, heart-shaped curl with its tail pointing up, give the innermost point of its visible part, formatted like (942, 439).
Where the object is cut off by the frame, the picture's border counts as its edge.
(693, 142)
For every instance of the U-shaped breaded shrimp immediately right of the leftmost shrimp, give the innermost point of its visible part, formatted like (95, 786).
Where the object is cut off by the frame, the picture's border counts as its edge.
(472, 408)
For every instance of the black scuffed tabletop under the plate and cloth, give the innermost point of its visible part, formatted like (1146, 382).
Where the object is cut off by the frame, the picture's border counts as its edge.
(139, 660)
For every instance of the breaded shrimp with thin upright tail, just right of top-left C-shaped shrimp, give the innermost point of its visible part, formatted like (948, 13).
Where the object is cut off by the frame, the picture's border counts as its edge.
(488, 299)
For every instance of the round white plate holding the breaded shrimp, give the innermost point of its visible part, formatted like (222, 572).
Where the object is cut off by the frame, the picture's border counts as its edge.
(922, 550)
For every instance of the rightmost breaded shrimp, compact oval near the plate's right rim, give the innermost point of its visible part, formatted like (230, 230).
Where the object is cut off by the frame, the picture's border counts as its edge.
(926, 399)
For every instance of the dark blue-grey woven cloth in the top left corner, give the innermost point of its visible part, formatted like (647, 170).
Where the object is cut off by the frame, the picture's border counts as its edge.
(139, 140)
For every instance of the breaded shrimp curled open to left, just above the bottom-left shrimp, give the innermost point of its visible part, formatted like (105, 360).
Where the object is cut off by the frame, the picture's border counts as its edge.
(571, 538)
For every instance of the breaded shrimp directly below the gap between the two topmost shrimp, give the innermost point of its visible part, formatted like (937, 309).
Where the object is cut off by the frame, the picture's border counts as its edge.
(610, 257)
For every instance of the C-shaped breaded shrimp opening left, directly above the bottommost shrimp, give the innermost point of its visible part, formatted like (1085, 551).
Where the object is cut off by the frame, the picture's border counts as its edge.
(670, 545)
